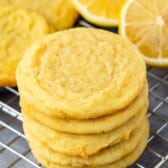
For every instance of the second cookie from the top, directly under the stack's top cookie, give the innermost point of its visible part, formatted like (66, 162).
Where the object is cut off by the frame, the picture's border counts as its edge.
(91, 126)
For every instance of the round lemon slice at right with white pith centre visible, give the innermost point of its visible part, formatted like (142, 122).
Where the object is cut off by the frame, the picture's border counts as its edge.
(145, 23)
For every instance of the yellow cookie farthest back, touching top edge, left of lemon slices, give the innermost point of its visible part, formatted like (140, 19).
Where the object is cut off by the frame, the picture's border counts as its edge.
(59, 13)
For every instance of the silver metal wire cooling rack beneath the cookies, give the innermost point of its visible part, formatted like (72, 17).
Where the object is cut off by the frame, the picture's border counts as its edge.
(15, 152)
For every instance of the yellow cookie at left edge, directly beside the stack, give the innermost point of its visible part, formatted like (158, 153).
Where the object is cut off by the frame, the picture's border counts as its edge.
(19, 28)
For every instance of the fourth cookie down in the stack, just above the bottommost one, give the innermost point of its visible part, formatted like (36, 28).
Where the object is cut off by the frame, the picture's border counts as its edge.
(106, 156)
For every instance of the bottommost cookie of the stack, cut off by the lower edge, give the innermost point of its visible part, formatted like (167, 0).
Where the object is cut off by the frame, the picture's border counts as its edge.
(126, 160)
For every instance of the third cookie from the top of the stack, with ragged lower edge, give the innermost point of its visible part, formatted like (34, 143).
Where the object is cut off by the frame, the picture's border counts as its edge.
(82, 145)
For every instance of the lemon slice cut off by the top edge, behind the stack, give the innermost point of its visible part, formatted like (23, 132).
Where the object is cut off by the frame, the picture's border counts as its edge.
(100, 12)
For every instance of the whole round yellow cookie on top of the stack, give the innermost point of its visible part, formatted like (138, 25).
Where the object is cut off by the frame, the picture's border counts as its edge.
(81, 73)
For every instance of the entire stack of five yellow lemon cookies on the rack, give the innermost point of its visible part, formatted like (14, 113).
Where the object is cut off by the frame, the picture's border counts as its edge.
(84, 98)
